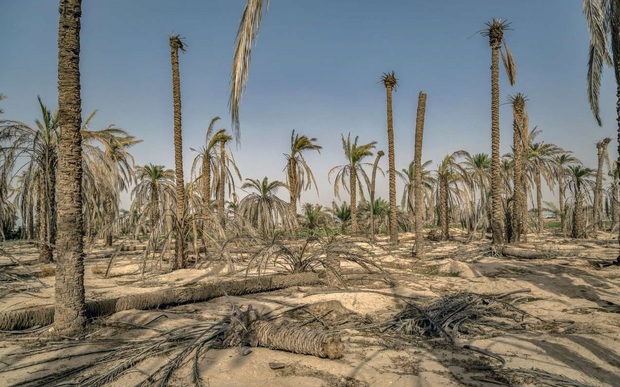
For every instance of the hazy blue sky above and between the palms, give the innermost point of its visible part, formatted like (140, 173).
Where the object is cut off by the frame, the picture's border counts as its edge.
(315, 69)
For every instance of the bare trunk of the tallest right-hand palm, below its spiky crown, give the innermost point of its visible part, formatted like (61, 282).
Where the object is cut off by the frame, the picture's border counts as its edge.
(496, 206)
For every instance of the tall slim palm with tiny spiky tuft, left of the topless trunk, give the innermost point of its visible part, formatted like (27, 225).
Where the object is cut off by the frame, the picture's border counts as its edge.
(390, 82)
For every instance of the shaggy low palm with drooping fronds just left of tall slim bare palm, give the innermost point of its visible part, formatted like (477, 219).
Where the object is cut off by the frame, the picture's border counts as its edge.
(153, 194)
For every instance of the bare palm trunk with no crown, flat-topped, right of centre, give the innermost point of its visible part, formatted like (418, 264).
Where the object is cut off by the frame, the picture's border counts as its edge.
(419, 248)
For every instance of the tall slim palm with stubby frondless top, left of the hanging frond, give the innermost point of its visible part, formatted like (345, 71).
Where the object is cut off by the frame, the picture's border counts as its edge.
(177, 44)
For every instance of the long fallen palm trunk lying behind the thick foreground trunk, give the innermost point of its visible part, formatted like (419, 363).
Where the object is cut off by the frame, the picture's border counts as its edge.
(41, 316)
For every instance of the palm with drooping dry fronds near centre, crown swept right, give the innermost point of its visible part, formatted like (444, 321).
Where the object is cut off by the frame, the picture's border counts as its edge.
(299, 176)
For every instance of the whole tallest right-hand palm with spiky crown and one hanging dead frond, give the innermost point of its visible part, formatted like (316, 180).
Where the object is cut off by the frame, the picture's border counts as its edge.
(495, 32)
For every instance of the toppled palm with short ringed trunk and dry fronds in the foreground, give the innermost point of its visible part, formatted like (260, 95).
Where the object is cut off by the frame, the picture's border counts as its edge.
(241, 328)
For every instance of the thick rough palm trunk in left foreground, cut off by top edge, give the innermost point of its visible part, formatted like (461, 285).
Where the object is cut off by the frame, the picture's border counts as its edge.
(69, 311)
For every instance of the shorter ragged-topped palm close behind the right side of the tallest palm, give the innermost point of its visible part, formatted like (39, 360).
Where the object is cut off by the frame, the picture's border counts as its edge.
(520, 126)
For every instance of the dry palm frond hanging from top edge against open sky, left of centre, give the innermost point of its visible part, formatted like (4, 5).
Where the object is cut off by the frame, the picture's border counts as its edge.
(246, 35)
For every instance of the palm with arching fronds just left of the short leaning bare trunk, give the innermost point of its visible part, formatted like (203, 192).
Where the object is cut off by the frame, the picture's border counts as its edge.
(354, 154)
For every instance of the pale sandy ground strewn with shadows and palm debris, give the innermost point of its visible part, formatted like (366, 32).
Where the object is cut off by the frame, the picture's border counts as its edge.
(571, 336)
